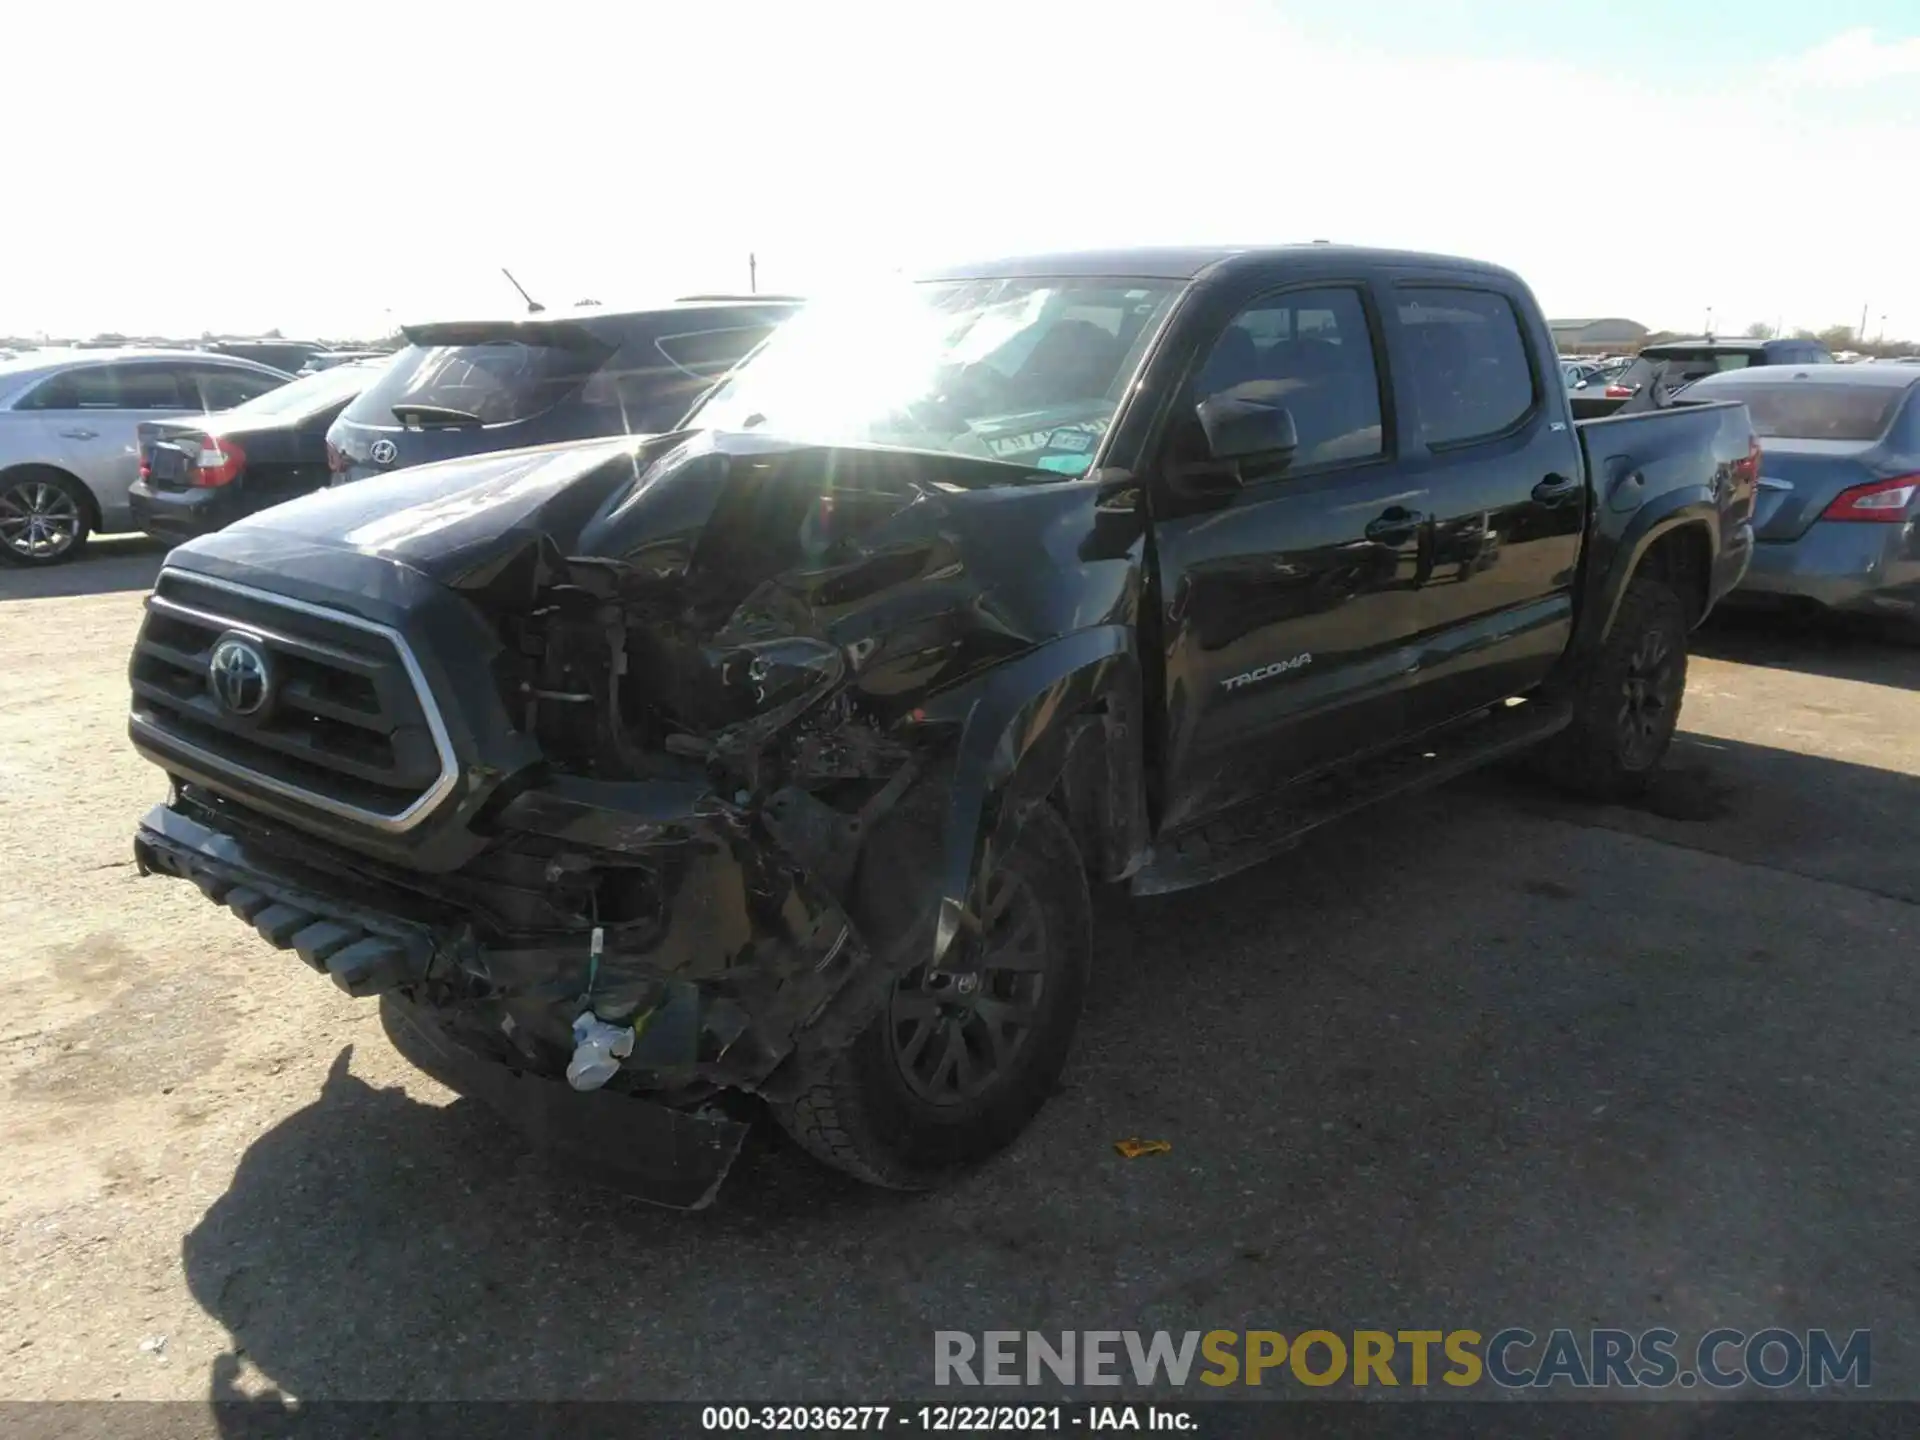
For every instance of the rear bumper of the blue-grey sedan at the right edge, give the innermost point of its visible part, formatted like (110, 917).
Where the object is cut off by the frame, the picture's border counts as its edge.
(1840, 565)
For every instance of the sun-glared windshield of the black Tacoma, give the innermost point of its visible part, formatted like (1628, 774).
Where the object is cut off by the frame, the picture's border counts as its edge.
(1020, 372)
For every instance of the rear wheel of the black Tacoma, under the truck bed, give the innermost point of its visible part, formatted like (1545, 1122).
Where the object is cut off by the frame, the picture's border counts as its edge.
(1629, 706)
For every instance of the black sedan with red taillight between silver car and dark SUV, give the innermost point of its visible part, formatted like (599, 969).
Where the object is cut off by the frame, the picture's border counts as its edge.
(206, 473)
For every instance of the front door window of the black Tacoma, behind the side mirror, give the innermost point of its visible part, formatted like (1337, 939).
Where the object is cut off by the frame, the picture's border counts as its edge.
(1308, 350)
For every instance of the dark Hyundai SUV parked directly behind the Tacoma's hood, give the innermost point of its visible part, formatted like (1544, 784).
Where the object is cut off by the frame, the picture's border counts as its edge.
(475, 387)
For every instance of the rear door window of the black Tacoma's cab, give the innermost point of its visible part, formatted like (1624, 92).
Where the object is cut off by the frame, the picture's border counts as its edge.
(1466, 364)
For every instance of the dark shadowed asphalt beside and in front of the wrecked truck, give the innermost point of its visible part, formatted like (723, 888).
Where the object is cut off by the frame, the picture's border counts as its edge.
(1454, 1065)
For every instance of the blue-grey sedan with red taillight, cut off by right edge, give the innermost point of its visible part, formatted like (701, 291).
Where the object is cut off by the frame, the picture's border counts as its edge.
(1838, 523)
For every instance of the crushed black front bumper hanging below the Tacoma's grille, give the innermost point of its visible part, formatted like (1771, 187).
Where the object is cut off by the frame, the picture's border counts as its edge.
(746, 986)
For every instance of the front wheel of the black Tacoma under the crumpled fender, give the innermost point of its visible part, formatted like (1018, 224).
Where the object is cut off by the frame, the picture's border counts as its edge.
(942, 1080)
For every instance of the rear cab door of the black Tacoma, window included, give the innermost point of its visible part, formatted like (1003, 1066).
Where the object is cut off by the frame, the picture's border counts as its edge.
(1491, 441)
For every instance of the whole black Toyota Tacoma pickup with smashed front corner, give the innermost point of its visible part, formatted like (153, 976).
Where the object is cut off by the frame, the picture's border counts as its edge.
(777, 756)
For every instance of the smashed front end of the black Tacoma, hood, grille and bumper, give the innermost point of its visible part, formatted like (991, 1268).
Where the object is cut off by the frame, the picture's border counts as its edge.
(575, 757)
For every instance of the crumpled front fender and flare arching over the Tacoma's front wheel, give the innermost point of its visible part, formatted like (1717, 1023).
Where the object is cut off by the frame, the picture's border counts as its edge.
(1020, 725)
